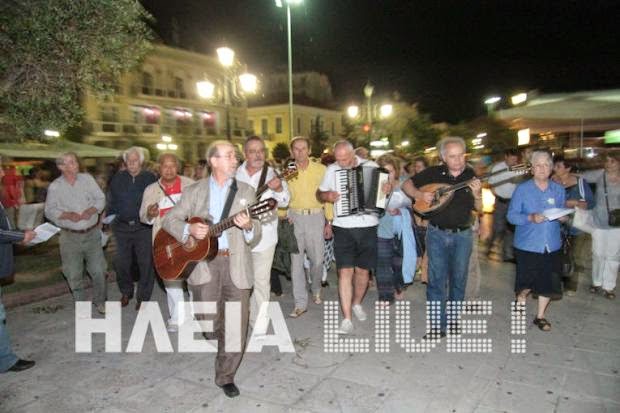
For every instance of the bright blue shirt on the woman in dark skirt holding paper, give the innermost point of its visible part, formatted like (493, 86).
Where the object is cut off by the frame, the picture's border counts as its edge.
(529, 199)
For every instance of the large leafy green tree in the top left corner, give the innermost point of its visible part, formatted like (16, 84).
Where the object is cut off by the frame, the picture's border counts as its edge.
(53, 51)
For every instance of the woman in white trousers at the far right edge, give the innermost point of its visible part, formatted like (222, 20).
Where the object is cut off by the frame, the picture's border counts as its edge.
(606, 238)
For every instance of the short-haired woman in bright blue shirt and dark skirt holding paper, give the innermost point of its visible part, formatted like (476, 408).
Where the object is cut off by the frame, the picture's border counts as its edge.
(537, 241)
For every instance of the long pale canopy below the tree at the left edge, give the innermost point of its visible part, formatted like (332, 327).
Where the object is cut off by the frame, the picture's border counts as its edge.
(35, 150)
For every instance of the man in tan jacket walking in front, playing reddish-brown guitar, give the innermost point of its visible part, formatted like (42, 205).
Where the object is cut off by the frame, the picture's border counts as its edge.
(229, 276)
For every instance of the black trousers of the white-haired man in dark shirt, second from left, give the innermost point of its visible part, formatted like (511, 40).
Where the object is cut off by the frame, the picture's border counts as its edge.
(134, 242)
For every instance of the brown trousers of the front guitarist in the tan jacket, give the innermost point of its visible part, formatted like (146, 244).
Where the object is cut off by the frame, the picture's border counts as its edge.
(221, 289)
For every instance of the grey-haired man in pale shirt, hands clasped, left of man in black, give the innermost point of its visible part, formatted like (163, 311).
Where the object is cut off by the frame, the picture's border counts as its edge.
(74, 202)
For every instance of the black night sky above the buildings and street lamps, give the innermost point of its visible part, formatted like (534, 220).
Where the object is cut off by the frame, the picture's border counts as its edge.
(445, 55)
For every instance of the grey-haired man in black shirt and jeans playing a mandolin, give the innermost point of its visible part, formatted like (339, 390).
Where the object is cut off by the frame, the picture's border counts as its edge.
(449, 235)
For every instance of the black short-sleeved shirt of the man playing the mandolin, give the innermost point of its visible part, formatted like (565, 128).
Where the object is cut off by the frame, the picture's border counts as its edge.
(457, 213)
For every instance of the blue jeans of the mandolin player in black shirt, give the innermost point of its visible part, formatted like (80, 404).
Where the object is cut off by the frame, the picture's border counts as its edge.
(448, 262)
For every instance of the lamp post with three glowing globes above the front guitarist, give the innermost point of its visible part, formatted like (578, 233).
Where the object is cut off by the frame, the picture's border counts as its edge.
(247, 81)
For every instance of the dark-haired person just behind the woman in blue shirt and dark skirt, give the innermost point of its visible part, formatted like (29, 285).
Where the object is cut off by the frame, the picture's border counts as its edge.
(578, 195)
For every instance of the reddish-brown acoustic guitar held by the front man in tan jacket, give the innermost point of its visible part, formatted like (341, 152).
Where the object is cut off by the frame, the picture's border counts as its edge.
(175, 260)
